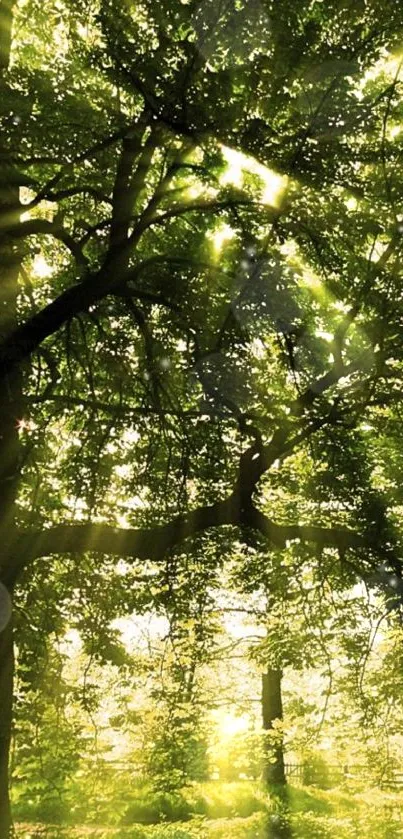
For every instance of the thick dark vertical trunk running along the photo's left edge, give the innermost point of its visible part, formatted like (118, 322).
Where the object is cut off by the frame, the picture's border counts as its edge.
(10, 410)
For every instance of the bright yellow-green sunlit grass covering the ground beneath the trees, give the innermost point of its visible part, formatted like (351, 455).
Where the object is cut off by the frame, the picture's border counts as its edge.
(245, 811)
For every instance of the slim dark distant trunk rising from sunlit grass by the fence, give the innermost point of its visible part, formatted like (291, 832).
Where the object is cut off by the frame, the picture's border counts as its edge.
(272, 712)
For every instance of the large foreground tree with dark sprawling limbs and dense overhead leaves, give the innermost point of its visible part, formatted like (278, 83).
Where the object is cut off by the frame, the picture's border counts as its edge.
(188, 383)
